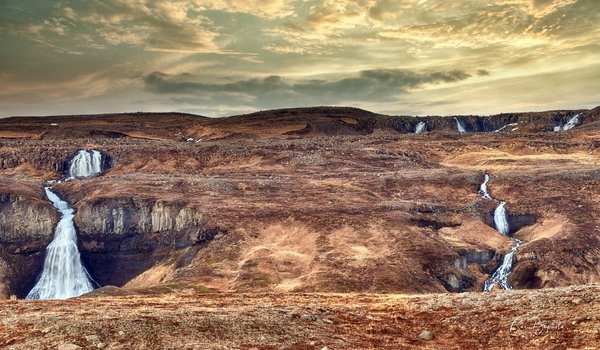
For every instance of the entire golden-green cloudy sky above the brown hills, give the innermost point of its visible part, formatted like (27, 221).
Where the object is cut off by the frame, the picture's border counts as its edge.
(226, 57)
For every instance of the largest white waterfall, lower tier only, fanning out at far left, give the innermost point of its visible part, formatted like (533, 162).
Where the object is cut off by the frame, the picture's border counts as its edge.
(63, 275)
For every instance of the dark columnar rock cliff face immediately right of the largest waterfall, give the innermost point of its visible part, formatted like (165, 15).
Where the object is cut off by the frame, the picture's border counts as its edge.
(123, 237)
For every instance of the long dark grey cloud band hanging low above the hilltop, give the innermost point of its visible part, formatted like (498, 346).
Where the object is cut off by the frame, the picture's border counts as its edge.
(368, 85)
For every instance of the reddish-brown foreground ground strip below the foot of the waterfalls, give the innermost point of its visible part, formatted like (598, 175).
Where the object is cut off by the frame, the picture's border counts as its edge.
(562, 318)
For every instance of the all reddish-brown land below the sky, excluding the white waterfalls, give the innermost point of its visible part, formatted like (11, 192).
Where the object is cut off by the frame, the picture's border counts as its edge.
(306, 228)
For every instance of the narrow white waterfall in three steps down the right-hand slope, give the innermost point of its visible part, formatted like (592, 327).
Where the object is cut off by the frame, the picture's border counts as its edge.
(500, 276)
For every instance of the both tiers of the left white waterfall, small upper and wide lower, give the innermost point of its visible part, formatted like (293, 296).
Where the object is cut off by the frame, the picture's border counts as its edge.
(64, 275)
